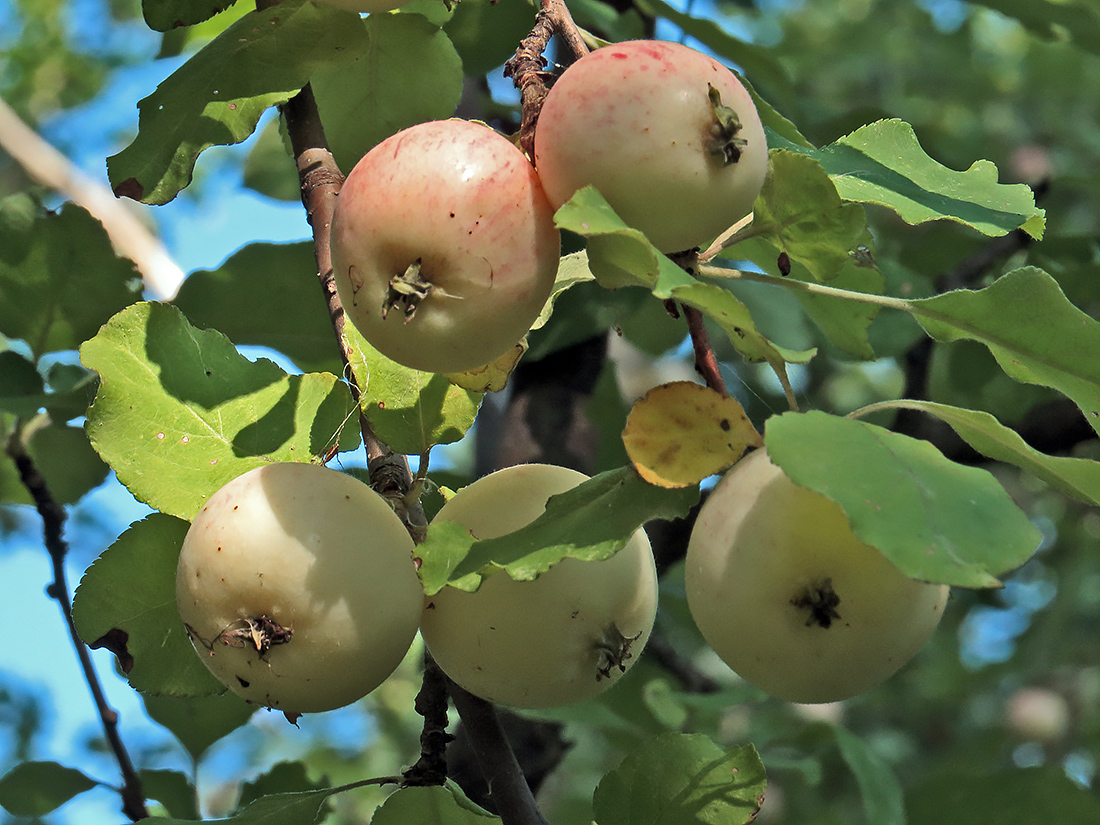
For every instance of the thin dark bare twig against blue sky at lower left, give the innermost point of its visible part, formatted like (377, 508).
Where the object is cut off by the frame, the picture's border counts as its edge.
(53, 527)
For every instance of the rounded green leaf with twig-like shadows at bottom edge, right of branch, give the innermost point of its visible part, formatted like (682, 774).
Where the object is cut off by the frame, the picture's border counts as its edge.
(683, 778)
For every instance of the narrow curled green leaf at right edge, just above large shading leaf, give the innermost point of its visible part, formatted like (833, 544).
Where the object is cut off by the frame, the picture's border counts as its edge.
(1077, 478)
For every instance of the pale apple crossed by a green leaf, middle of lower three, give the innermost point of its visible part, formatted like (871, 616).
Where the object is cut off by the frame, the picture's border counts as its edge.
(564, 637)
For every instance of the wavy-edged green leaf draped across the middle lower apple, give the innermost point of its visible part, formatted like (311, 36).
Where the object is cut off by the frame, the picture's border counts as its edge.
(592, 522)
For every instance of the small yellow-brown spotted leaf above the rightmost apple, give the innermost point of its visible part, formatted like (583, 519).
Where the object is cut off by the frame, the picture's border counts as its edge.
(680, 434)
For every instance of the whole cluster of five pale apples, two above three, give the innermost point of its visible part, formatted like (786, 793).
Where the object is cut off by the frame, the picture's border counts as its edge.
(298, 584)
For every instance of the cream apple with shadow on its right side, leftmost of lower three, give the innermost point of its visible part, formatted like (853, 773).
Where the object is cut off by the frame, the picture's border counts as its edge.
(298, 587)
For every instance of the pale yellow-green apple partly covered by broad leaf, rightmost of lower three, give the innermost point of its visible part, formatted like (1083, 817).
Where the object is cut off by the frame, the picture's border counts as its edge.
(791, 600)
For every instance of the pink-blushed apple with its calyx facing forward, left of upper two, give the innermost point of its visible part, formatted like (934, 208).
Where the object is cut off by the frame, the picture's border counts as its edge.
(444, 247)
